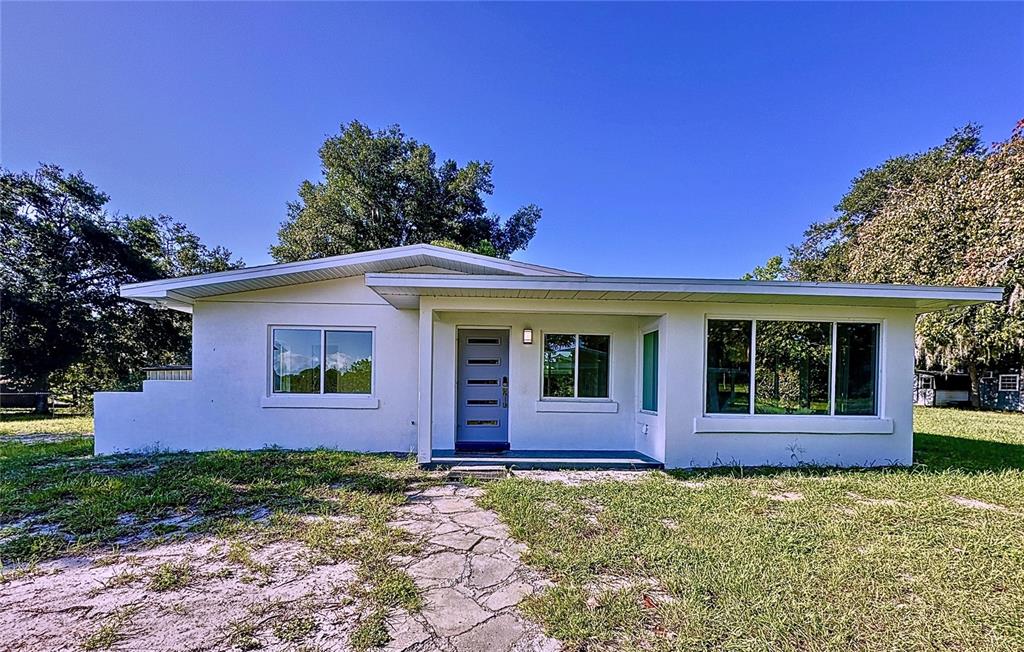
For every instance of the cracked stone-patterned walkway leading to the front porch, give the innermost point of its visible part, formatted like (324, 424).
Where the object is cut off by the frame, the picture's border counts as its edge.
(472, 577)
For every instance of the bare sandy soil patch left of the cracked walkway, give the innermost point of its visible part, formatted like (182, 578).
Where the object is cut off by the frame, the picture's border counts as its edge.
(200, 595)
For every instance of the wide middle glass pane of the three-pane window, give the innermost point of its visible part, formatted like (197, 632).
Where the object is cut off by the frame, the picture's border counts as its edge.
(793, 368)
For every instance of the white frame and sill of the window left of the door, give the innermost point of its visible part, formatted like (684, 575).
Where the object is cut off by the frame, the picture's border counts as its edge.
(326, 400)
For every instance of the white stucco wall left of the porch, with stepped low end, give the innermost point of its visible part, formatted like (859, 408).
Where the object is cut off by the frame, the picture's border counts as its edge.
(228, 404)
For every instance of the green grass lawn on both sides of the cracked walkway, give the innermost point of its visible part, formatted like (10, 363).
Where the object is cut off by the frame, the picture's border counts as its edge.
(814, 559)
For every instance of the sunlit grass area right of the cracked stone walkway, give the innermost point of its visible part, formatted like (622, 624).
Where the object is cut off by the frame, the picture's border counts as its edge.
(788, 559)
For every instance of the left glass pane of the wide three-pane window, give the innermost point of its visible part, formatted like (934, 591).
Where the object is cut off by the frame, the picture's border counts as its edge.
(729, 367)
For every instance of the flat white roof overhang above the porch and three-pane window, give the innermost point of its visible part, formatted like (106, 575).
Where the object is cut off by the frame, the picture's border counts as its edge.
(404, 291)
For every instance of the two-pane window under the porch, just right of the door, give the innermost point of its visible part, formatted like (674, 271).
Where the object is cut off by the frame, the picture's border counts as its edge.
(576, 366)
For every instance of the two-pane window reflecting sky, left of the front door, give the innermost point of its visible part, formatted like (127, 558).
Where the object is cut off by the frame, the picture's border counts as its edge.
(322, 362)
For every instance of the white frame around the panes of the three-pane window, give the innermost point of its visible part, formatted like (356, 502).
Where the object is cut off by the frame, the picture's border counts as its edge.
(880, 359)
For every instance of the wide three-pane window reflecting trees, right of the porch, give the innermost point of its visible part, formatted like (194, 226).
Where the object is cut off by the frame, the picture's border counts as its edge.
(799, 368)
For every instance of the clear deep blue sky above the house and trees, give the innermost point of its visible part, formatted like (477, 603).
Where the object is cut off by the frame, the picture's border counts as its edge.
(680, 141)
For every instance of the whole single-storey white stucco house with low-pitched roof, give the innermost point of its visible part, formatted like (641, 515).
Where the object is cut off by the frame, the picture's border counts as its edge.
(457, 357)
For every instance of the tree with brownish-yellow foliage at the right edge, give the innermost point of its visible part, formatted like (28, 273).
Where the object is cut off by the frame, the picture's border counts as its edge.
(963, 229)
